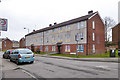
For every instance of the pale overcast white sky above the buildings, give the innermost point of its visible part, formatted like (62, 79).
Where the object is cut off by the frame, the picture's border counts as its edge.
(38, 14)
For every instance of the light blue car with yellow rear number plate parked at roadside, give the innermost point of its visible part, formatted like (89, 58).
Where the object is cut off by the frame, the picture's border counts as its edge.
(22, 55)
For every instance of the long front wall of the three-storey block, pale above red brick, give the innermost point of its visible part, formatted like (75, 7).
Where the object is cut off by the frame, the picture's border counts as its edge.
(60, 36)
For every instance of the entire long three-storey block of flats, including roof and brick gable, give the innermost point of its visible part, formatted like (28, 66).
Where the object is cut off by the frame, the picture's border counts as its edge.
(90, 29)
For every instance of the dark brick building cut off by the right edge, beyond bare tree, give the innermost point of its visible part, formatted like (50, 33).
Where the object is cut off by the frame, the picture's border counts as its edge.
(115, 36)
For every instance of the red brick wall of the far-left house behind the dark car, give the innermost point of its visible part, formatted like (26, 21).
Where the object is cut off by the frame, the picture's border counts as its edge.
(7, 44)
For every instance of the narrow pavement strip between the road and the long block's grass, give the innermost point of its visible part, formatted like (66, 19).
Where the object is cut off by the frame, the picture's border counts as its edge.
(111, 59)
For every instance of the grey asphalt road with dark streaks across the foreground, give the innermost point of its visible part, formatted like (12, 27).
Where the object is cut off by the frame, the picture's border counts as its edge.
(44, 67)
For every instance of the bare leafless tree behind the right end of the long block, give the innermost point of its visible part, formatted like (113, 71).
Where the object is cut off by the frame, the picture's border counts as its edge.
(109, 23)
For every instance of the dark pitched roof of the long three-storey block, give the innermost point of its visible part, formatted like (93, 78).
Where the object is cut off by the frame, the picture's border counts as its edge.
(83, 18)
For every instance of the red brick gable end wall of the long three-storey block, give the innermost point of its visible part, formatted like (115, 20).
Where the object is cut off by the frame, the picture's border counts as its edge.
(99, 36)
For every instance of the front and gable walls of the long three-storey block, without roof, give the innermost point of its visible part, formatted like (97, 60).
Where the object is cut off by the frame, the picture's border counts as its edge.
(49, 38)
